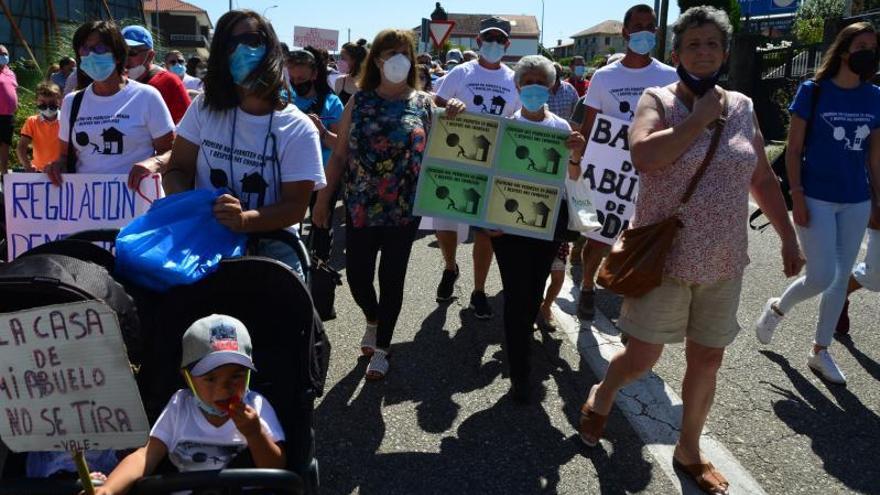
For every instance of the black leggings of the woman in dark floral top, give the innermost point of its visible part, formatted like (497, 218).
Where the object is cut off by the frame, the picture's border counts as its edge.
(362, 245)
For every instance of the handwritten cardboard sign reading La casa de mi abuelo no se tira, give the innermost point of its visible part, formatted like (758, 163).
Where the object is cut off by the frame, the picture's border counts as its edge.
(65, 381)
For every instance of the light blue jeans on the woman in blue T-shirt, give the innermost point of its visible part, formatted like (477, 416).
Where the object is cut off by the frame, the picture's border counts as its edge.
(831, 244)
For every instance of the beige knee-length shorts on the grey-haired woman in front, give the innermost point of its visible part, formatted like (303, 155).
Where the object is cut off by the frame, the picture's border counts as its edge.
(704, 313)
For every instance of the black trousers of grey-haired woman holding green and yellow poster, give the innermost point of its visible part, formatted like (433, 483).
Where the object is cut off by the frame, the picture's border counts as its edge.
(524, 264)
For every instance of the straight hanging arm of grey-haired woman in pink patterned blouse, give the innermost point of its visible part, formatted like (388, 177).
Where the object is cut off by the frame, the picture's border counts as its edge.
(765, 189)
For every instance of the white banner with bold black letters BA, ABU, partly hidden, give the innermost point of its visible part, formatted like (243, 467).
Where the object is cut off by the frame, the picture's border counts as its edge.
(608, 170)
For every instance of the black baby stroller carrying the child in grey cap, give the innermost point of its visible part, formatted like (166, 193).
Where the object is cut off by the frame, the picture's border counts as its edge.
(291, 352)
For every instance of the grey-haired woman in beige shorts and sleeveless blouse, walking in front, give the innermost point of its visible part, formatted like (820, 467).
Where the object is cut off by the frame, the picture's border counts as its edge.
(699, 295)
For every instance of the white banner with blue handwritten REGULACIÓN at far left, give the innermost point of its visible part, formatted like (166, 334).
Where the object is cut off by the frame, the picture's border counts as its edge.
(38, 212)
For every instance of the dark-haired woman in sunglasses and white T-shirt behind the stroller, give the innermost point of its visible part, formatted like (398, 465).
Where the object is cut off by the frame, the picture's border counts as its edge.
(241, 137)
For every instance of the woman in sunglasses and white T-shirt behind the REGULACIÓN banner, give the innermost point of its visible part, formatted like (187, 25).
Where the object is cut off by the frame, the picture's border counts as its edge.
(121, 125)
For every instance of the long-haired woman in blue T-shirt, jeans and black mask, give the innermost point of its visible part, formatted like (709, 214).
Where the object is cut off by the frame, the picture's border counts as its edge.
(829, 170)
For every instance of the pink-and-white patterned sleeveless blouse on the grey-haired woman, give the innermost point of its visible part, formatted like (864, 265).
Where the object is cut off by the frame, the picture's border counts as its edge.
(713, 245)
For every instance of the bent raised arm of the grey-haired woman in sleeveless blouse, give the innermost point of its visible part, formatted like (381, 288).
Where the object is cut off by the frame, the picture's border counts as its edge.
(653, 146)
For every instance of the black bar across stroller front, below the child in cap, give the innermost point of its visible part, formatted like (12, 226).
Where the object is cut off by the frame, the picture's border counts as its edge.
(227, 480)
